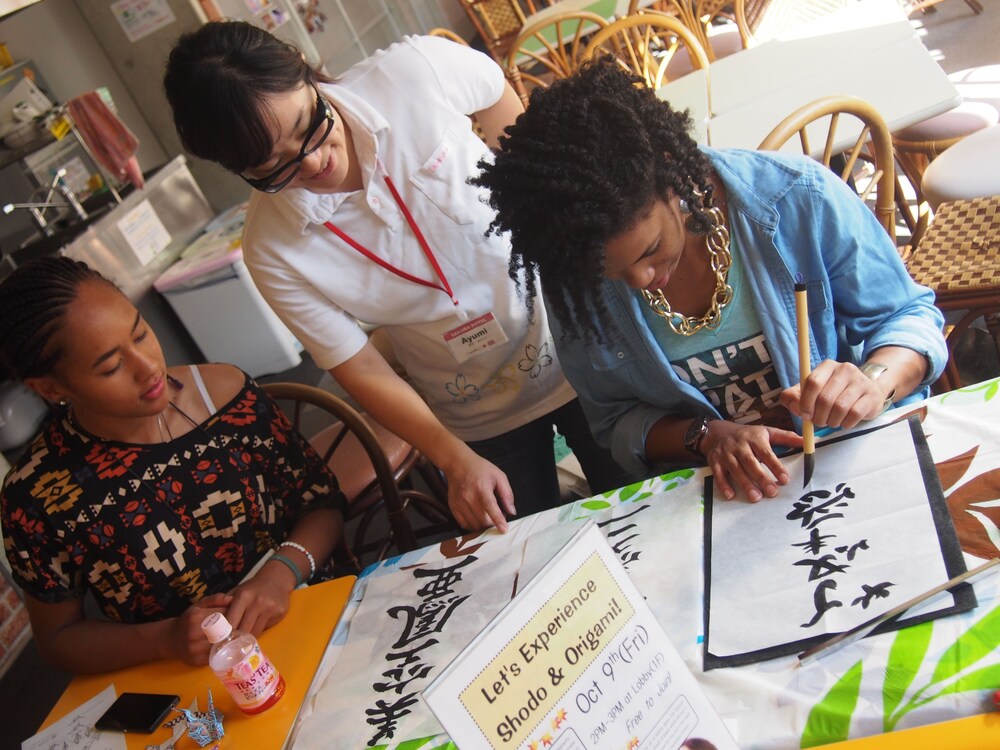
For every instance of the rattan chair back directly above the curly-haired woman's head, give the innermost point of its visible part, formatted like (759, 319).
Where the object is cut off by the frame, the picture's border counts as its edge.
(646, 43)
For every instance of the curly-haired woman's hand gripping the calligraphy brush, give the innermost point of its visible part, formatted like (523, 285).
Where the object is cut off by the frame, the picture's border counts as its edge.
(836, 394)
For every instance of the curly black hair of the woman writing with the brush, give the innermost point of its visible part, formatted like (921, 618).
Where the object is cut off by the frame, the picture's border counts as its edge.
(581, 165)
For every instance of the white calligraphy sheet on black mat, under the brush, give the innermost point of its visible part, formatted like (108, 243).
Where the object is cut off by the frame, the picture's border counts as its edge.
(763, 554)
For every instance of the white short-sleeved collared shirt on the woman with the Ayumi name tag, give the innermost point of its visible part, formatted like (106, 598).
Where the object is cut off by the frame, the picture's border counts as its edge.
(407, 108)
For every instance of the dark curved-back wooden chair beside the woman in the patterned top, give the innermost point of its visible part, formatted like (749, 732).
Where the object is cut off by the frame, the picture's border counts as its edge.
(373, 467)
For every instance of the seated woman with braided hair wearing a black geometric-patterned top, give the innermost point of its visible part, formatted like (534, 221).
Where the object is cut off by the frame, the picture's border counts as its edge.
(157, 490)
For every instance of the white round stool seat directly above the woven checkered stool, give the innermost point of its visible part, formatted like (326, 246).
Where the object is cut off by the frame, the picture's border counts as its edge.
(969, 169)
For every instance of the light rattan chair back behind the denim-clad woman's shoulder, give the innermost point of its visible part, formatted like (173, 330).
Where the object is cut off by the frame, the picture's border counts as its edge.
(831, 118)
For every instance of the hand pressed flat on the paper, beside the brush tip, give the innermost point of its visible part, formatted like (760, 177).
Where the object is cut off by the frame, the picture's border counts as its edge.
(741, 458)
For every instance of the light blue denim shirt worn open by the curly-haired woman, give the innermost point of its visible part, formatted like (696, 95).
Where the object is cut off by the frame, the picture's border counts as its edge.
(790, 217)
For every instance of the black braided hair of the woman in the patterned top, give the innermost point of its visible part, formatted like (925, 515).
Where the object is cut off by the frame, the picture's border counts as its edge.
(33, 301)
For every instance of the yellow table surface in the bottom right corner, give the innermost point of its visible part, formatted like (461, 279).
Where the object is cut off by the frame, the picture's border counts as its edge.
(979, 732)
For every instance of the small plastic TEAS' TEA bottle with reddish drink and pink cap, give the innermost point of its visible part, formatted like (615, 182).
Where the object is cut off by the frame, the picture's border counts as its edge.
(243, 668)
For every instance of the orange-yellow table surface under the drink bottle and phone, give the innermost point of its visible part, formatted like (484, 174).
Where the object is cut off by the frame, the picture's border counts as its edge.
(295, 645)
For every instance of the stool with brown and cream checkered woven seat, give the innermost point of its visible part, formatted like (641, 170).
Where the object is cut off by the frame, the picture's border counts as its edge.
(959, 258)
